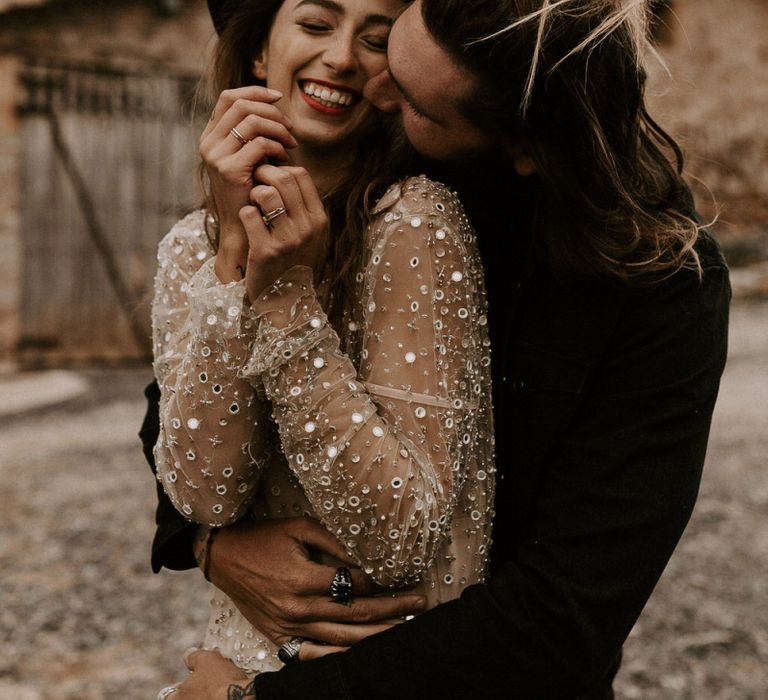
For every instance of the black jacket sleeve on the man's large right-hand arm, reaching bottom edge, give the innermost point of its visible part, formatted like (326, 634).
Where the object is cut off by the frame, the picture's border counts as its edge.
(605, 511)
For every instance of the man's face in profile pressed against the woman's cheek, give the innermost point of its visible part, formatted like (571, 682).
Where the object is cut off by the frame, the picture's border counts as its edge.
(426, 86)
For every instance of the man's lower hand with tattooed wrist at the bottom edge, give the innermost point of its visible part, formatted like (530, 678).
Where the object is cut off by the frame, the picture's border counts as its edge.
(212, 677)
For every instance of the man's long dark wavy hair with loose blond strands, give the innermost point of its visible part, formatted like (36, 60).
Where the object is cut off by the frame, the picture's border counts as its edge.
(566, 77)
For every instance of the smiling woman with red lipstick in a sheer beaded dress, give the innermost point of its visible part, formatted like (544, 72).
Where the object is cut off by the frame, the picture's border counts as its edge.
(317, 356)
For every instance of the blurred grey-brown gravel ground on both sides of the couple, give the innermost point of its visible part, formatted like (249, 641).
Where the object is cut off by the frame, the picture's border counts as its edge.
(82, 618)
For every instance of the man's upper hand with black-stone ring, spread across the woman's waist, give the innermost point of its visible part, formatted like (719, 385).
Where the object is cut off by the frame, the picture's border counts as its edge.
(265, 568)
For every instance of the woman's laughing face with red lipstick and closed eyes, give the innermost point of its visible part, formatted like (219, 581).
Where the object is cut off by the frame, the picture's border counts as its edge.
(320, 54)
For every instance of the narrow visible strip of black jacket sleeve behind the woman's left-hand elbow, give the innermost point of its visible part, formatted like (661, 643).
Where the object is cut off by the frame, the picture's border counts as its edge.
(172, 545)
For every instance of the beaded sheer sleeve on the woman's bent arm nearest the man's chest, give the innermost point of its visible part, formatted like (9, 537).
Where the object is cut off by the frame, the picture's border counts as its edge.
(390, 451)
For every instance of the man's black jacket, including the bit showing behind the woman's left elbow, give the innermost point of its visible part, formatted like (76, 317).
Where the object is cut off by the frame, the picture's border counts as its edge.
(603, 398)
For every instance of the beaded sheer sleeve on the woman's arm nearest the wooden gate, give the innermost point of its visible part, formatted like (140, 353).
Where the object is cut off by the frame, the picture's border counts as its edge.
(213, 426)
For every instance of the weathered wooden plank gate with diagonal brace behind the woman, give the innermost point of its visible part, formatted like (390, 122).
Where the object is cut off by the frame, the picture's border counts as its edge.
(109, 161)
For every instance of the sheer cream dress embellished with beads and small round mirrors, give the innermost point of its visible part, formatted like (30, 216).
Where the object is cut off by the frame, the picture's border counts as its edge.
(385, 437)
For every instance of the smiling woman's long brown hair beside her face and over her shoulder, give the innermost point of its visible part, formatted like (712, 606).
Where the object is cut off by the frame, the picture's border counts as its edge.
(381, 157)
